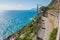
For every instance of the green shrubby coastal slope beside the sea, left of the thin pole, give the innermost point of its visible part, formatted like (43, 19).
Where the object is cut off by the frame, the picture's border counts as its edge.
(28, 31)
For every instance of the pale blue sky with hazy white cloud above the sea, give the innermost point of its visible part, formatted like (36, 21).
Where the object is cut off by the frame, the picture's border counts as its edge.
(22, 4)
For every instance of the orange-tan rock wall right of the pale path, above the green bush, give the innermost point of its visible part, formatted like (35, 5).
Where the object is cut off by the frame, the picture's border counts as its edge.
(53, 16)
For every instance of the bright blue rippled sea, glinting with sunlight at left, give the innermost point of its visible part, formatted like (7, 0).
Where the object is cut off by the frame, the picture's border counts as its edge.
(12, 21)
